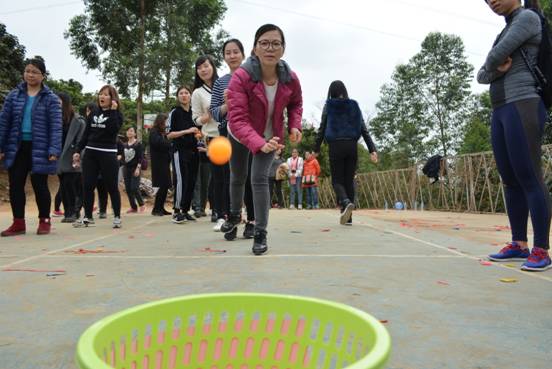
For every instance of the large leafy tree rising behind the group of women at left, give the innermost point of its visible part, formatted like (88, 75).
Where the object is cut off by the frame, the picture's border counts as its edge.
(127, 47)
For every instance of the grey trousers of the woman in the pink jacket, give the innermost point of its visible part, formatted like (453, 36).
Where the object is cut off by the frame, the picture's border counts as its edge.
(260, 168)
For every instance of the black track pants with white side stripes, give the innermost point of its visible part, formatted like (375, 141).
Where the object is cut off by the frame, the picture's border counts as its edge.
(185, 164)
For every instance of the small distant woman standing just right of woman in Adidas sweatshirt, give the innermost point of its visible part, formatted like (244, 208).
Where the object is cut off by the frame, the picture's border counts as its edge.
(133, 153)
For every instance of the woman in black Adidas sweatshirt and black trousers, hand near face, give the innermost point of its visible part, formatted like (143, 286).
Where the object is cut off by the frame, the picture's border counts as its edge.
(99, 143)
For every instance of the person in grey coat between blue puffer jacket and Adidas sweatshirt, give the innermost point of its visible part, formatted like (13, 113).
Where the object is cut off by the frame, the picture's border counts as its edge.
(70, 175)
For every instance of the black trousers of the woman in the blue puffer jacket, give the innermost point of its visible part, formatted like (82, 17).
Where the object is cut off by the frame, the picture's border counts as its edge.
(17, 175)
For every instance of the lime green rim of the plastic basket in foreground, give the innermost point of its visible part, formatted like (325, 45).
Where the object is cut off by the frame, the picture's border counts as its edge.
(87, 359)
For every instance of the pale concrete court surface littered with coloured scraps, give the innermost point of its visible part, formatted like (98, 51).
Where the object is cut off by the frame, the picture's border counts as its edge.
(419, 271)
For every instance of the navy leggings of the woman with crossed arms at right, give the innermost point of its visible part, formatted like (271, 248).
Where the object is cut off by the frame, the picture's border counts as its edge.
(516, 135)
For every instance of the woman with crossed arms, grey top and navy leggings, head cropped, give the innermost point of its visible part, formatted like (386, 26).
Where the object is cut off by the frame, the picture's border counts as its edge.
(517, 125)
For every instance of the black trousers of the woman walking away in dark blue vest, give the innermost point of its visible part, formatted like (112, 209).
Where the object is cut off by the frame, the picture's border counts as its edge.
(343, 164)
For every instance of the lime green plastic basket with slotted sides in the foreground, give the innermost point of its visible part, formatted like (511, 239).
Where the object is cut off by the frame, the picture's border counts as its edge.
(236, 331)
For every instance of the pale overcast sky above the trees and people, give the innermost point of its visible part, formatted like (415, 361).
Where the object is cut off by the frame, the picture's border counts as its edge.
(357, 41)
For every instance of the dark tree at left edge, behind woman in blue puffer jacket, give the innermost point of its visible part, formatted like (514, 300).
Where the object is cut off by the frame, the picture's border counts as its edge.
(12, 61)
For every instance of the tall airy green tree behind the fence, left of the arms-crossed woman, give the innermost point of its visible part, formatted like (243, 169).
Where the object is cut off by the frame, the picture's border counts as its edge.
(424, 108)
